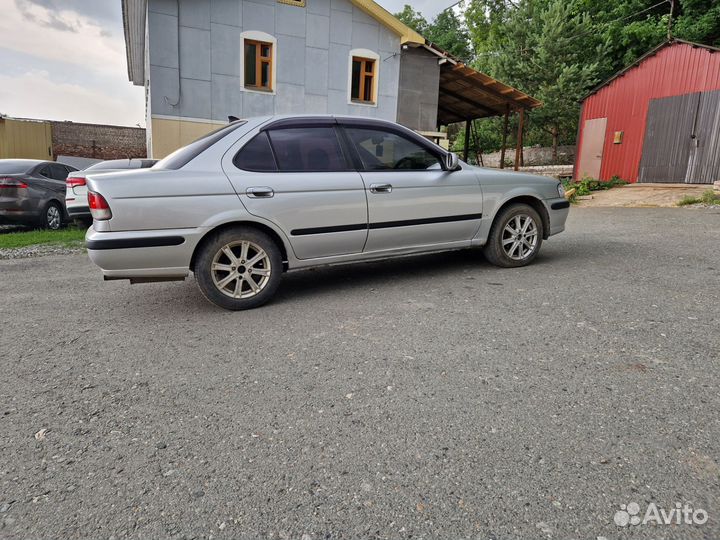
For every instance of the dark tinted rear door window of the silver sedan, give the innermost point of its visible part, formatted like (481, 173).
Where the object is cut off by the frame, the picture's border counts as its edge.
(307, 149)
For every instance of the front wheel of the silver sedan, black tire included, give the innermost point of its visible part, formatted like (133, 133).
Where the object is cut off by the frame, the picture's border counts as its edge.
(499, 236)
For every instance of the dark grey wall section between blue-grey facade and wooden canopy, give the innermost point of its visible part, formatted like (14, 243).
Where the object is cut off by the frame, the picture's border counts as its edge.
(418, 92)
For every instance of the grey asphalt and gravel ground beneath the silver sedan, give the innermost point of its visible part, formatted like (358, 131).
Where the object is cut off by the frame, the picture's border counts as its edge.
(427, 397)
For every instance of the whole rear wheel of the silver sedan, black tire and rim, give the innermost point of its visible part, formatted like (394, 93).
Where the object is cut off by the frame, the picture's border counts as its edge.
(210, 280)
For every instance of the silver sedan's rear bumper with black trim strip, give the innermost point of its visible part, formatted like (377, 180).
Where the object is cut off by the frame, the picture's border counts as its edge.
(159, 254)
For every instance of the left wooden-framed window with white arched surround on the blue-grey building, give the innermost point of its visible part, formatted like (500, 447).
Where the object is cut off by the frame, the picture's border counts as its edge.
(257, 70)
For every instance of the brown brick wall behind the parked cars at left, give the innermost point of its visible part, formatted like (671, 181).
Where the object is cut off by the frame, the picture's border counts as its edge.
(97, 141)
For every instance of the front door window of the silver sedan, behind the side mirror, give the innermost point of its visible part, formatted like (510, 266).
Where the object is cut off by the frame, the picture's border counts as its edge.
(381, 150)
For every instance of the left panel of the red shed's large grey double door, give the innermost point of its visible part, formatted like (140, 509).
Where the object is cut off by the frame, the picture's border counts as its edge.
(668, 131)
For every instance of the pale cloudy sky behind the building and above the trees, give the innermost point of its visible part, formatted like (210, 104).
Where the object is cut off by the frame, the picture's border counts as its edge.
(65, 60)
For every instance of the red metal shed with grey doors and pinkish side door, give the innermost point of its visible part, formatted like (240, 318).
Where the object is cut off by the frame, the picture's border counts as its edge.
(658, 120)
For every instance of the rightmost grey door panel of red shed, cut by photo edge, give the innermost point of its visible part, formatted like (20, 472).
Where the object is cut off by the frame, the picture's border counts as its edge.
(704, 162)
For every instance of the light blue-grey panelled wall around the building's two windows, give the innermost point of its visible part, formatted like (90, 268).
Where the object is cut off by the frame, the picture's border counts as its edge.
(203, 52)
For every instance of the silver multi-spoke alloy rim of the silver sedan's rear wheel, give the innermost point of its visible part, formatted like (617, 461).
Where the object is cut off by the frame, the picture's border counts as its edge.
(241, 269)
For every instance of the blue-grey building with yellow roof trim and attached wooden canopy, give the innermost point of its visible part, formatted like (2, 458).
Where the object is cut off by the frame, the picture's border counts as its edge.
(202, 61)
